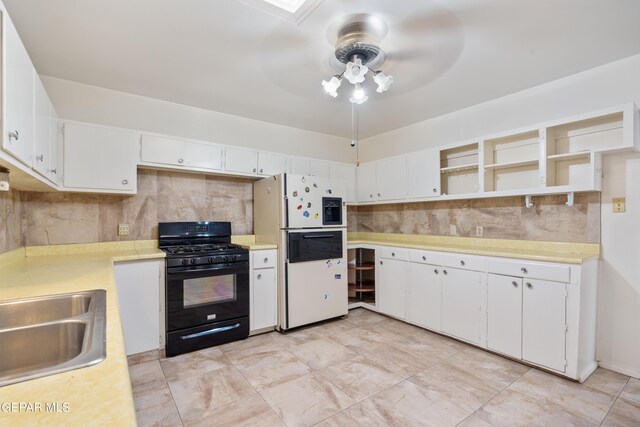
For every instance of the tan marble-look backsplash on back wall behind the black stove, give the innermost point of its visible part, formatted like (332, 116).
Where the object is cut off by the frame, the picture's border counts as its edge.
(59, 218)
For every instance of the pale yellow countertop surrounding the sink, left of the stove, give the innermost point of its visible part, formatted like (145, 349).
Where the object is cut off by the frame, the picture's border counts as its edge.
(96, 395)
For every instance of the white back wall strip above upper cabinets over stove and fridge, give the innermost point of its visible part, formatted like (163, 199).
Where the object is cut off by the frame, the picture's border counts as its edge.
(77, 101)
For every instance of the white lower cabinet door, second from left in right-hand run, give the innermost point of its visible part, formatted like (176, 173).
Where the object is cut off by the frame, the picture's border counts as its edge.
(424, 296)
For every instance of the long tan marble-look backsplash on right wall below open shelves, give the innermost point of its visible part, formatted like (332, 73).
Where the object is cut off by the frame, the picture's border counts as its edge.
(550, 219)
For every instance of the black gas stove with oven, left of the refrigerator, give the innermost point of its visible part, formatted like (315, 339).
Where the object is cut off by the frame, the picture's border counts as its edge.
(207, 285)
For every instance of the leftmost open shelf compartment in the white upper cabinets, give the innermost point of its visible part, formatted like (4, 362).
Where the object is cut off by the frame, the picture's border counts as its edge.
(459, 169)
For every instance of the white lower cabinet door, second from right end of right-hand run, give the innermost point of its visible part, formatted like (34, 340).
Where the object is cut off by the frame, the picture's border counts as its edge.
(504, 317)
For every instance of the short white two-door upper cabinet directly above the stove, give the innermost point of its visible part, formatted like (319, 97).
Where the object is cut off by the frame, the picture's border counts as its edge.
(172, 152)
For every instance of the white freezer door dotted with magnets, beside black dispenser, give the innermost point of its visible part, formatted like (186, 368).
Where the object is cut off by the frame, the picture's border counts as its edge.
(304, 201)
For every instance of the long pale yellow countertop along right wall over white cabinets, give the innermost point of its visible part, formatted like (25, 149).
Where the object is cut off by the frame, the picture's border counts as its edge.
(572, 253)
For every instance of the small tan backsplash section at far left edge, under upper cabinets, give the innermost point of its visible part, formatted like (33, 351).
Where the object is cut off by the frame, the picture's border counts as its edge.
(12, 213)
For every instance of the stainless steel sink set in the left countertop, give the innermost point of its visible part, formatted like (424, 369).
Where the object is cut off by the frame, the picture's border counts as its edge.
(52, 334)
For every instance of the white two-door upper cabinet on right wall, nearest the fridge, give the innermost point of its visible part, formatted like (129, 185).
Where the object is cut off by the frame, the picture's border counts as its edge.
(382, 180)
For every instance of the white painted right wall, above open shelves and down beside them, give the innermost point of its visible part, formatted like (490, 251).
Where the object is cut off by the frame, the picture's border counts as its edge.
(613, 84)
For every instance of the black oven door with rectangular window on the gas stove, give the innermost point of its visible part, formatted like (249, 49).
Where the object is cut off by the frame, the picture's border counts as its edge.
(196, 296)
